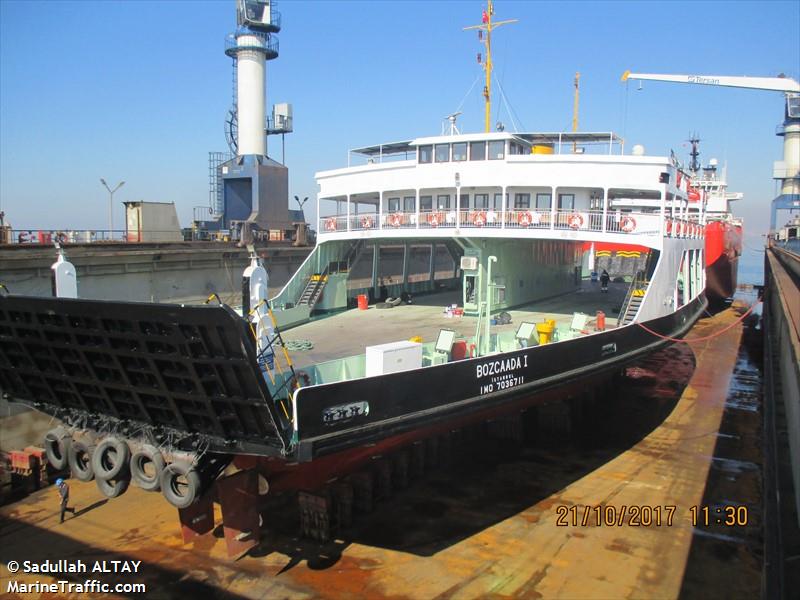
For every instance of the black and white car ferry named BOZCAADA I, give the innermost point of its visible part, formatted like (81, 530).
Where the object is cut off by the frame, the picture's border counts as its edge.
(469, 246)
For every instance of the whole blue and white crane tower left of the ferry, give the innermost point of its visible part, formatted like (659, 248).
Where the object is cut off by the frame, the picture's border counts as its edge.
(253, 195)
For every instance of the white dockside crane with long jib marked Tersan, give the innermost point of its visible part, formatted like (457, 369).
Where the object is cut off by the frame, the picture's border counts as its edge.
(786, 170)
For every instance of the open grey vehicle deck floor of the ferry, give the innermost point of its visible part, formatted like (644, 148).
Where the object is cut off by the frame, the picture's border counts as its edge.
(349, 332)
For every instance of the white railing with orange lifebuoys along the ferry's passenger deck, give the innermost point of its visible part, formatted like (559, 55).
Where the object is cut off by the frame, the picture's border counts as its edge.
(628, 222)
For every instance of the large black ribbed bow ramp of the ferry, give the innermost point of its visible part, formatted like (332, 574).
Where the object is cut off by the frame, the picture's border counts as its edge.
(187, 374)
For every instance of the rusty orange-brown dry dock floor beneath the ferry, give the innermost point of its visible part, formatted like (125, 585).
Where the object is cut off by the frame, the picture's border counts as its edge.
(500, 522)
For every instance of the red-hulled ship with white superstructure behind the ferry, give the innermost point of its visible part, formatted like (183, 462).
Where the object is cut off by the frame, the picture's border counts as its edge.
(723, 230)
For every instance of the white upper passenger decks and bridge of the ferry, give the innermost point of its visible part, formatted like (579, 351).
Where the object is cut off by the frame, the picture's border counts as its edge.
(543, 185)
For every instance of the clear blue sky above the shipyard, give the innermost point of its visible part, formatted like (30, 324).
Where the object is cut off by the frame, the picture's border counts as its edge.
(138, 91)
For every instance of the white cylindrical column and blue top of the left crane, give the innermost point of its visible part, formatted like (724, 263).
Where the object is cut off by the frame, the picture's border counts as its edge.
(251, 46)
